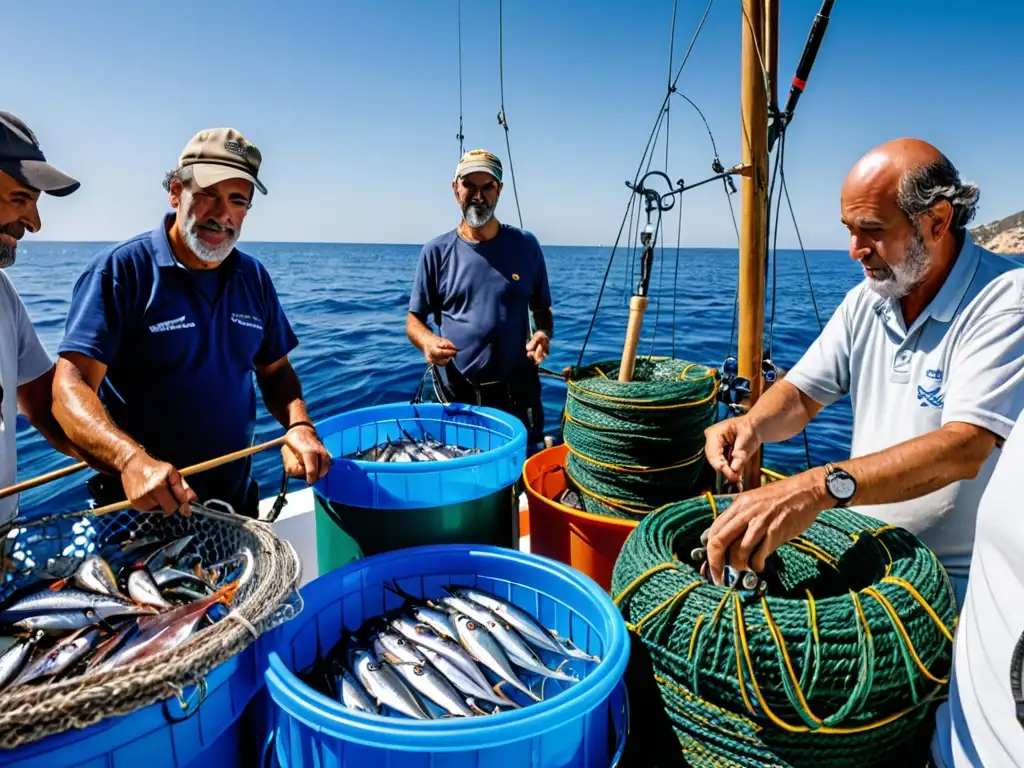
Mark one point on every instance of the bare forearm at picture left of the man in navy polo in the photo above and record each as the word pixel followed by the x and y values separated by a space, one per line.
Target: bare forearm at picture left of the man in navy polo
pixel 80 414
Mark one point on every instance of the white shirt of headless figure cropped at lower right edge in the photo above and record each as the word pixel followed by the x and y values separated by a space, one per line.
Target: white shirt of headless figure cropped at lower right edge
pixel 979 728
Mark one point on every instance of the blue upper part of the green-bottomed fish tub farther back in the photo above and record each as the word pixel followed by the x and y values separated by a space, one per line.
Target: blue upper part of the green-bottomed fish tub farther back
pixel 501 439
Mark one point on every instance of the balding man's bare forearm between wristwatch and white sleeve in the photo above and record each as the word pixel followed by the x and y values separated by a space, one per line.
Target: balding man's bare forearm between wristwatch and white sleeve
pixel 918 467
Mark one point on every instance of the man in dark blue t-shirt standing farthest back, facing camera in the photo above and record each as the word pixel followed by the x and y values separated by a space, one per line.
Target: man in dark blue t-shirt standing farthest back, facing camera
pixel 480 283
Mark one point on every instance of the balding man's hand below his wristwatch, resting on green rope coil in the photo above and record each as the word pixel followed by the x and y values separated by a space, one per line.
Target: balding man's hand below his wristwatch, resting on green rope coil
pixel 760 522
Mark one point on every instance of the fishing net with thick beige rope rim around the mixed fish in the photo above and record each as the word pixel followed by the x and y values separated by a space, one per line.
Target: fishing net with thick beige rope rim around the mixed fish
pixel 52 547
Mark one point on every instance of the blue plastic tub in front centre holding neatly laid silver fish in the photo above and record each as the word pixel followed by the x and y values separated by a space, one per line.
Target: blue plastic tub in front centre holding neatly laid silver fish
pixel 583 727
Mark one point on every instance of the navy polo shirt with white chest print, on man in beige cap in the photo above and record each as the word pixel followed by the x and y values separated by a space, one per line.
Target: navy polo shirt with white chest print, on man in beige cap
pixel 181 347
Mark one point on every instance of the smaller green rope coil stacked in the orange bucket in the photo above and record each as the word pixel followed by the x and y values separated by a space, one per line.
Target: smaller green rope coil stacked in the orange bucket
pixel 637 446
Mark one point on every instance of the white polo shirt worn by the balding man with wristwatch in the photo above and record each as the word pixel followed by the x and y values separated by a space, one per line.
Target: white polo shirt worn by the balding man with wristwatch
pixel 962 361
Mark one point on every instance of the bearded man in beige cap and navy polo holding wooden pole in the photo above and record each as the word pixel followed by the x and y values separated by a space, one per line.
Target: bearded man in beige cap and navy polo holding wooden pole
pixel 163 337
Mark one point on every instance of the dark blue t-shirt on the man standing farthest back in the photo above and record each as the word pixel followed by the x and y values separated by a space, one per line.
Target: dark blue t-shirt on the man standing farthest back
pixel 480 295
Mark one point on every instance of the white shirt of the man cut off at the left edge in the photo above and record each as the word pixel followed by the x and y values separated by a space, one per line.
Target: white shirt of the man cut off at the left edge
pixel 22 360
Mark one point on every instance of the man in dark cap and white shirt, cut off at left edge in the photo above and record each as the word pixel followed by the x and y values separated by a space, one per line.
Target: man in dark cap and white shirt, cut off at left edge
pixel 26 369
